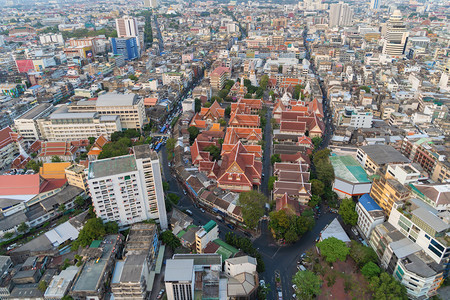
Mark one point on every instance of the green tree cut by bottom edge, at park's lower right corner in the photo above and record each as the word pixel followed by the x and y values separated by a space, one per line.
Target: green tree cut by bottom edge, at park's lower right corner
pixel 385 287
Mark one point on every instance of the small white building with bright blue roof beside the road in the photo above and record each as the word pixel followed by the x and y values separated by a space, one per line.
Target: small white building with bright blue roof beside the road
pixel 370 214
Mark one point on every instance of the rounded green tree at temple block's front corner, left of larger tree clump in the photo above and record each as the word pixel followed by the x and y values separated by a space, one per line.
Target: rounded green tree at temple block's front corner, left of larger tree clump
pixel 252 207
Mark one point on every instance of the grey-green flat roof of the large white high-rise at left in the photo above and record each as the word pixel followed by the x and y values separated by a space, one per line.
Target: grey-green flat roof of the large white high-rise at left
pixel 112 166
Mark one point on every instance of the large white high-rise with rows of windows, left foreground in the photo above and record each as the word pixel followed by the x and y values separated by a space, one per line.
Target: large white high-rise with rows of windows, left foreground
pixel 128 189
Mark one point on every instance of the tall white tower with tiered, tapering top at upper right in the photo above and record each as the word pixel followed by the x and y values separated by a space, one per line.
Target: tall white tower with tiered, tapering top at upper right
pixel 396 36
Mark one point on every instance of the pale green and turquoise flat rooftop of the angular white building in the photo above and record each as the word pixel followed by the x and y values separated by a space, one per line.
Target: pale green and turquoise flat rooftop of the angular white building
pixel 348 169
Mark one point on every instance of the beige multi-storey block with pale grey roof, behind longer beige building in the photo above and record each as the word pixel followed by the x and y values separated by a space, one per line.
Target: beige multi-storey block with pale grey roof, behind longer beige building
pixel 129 107
